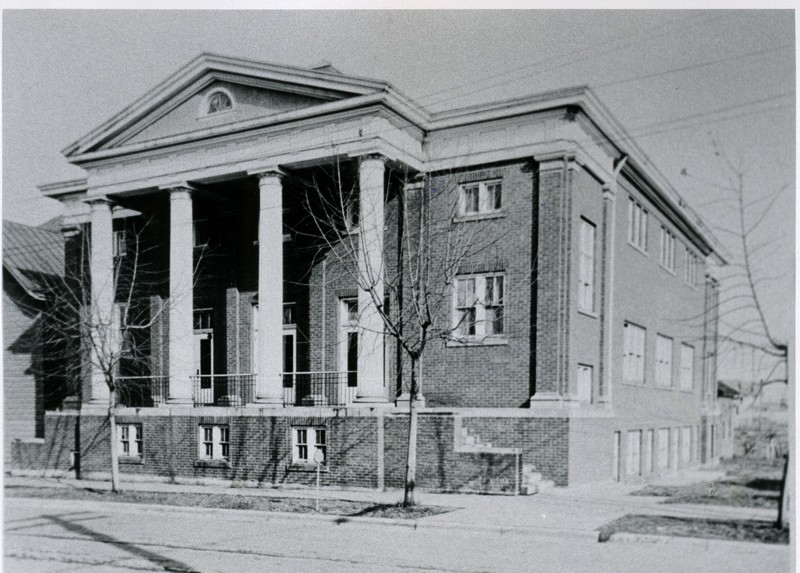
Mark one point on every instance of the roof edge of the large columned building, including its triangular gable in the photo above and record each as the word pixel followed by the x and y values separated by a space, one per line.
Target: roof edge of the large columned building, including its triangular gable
pixel 338 92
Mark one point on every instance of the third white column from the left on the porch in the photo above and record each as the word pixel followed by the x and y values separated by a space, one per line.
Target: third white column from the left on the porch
pixel 269 388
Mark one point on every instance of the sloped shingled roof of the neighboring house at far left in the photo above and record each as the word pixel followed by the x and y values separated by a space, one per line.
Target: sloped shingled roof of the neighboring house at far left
pixel 31 255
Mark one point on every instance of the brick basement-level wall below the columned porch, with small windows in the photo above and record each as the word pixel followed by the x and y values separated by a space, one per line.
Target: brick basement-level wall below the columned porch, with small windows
pixel 260 449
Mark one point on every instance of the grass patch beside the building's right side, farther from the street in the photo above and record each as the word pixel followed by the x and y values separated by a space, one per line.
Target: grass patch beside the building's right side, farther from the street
pixel 747 483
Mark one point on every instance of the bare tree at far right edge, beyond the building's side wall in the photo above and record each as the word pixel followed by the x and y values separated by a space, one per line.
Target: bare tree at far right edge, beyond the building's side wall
pixel 741 310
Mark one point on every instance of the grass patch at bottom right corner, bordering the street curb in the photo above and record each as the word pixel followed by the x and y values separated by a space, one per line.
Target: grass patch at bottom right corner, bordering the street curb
pixel 725 529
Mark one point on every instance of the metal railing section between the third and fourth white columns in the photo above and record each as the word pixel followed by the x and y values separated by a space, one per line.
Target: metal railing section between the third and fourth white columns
pixel 319 388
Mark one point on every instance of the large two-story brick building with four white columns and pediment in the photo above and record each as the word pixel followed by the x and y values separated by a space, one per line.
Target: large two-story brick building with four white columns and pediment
pixel 583 339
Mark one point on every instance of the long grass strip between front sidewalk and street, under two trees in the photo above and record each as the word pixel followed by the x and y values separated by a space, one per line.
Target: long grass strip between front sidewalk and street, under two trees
pixel 343 508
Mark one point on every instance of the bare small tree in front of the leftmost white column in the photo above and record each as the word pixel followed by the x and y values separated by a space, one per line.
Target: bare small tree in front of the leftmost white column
pixel 112 340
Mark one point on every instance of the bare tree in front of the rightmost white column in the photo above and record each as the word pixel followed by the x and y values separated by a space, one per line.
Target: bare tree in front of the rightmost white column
pixel 427 242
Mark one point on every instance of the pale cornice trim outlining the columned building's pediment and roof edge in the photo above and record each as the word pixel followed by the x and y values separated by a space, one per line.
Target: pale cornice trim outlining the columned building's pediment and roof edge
pixel 372 92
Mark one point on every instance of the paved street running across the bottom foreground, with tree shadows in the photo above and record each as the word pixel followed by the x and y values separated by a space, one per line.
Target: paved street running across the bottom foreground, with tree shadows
pixel 67 536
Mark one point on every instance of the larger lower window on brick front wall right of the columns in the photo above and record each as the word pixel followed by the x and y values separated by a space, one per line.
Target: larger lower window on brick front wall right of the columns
pixel 479 306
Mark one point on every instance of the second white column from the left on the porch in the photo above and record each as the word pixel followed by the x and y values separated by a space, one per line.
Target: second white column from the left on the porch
pixel 181 264
